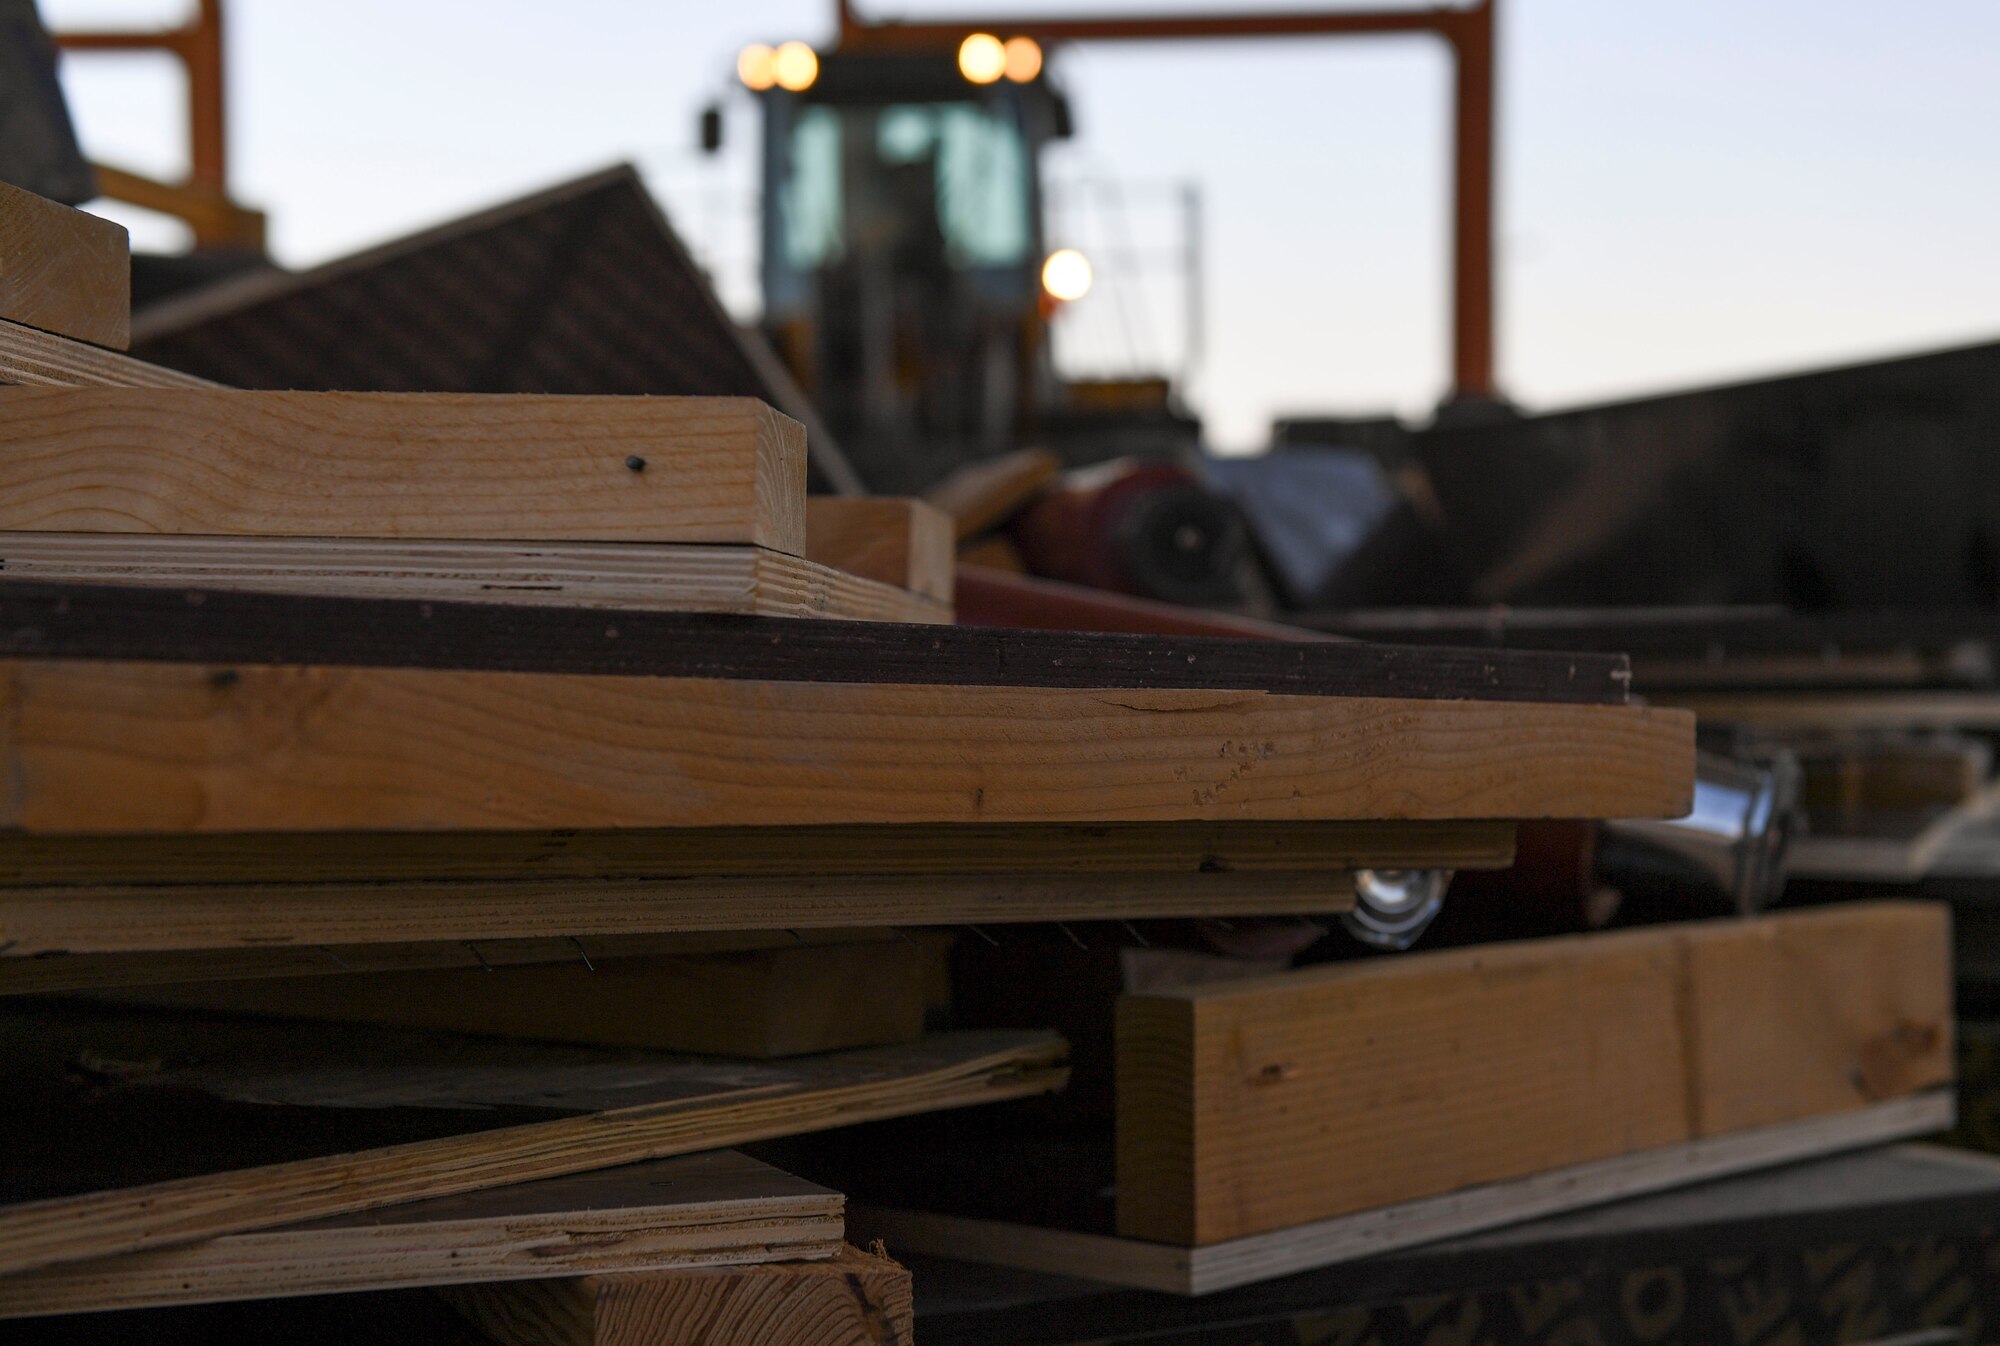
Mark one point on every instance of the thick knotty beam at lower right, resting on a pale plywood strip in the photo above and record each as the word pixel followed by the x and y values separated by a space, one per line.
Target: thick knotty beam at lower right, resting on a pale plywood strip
pixel 1269 1103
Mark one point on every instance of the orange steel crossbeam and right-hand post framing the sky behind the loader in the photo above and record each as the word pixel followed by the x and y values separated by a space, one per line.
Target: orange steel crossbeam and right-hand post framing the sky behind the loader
pixel 1471 35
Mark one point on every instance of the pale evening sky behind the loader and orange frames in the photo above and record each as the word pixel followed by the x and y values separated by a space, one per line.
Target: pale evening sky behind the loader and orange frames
pixel 1689 189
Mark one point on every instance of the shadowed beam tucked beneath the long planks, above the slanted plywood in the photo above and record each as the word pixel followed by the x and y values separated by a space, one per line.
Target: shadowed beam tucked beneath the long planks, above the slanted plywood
pixel 751 1003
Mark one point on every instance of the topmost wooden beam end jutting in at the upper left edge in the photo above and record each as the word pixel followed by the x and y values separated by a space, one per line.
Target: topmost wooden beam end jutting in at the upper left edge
pixel 65 271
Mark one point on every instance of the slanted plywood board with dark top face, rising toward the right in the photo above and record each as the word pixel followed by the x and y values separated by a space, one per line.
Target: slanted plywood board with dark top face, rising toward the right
pixel 487 1113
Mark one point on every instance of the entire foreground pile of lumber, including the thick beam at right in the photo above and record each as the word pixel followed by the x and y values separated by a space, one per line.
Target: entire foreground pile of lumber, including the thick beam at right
pixel 443 827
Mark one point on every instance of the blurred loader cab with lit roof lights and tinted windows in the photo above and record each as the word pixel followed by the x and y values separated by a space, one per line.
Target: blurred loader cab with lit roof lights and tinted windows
pixel 903 255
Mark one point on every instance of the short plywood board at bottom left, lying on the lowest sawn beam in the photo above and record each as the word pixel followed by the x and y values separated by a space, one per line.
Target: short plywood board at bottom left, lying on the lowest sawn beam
pixel 715 1209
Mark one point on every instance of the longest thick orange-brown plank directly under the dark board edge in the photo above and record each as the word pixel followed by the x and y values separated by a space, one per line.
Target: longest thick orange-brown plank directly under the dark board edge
pixel 111 747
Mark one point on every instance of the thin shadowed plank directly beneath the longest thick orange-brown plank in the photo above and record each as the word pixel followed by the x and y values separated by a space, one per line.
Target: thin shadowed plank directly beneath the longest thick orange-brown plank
pixel 801 855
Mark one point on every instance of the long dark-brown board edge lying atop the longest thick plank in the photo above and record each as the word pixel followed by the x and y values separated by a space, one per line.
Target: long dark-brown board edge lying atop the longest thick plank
pixel 215 627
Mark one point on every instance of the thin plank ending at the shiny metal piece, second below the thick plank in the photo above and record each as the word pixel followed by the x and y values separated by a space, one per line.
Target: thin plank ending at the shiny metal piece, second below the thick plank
pixel 95 927
